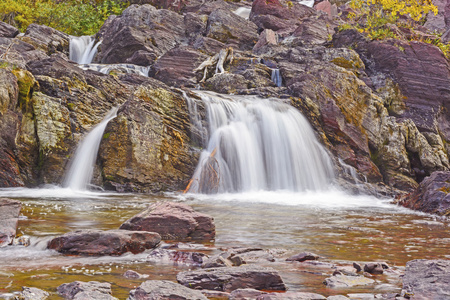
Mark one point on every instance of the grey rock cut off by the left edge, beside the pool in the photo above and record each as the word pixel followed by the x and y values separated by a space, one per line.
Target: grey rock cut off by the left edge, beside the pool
pixel 9 218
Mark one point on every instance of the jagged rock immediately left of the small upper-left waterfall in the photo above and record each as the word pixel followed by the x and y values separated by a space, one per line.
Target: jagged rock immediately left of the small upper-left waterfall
pixel 47 39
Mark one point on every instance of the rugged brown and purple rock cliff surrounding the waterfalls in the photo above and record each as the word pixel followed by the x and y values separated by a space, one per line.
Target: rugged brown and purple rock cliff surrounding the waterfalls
pixel 380 107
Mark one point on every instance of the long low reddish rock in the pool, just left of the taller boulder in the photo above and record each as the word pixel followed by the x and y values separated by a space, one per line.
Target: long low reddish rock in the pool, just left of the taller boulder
pixel 110 242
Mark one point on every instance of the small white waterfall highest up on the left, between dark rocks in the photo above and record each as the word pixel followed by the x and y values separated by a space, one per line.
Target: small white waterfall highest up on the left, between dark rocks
pixel 82 49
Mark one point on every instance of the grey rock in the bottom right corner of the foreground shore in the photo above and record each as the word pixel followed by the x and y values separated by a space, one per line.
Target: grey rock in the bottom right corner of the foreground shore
pixel 427 279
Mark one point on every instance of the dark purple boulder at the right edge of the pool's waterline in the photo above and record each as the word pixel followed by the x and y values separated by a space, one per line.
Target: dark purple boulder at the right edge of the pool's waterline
pixel 432 195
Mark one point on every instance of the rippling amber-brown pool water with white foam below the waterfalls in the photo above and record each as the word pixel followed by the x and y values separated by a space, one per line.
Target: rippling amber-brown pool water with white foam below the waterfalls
pixel 339 228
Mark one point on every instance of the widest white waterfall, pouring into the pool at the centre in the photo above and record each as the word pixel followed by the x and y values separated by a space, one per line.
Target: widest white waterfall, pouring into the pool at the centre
pixel 259 144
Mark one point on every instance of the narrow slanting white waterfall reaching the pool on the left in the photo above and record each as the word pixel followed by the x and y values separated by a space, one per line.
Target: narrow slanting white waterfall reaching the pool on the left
pixel 82 165
